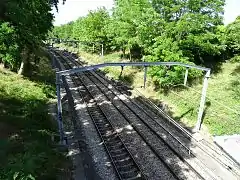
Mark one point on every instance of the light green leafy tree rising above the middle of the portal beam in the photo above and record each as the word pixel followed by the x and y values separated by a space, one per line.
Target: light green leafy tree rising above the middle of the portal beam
pixel 130 25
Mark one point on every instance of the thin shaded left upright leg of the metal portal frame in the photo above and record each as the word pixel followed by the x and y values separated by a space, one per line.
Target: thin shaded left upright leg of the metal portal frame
pixel 59 108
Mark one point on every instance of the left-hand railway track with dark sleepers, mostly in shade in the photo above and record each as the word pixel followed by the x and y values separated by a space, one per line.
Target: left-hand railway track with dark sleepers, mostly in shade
pixel 122 160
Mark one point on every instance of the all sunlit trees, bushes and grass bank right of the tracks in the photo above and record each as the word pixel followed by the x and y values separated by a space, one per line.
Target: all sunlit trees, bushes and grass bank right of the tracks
pixel 190 32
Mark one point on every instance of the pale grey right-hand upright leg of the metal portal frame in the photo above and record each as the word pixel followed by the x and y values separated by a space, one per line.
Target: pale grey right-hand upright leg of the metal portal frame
pixel 202 102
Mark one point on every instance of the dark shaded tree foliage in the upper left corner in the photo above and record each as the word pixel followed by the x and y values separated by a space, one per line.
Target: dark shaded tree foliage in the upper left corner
pixel 23 26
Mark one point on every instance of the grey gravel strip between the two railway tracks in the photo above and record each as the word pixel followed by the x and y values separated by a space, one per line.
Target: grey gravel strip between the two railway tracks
pixel 151 166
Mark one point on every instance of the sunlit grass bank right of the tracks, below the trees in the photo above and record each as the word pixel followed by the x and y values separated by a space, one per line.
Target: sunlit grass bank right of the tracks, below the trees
pixel 221 115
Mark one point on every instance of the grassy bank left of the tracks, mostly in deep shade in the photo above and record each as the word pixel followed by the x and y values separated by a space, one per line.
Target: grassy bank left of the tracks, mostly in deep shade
pixel 26 148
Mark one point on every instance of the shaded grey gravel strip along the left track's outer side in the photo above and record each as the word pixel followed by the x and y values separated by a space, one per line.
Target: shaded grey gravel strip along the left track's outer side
pixel 87 142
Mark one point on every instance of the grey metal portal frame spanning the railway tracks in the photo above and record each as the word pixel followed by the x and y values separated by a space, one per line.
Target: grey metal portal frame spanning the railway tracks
pixel 207 71
